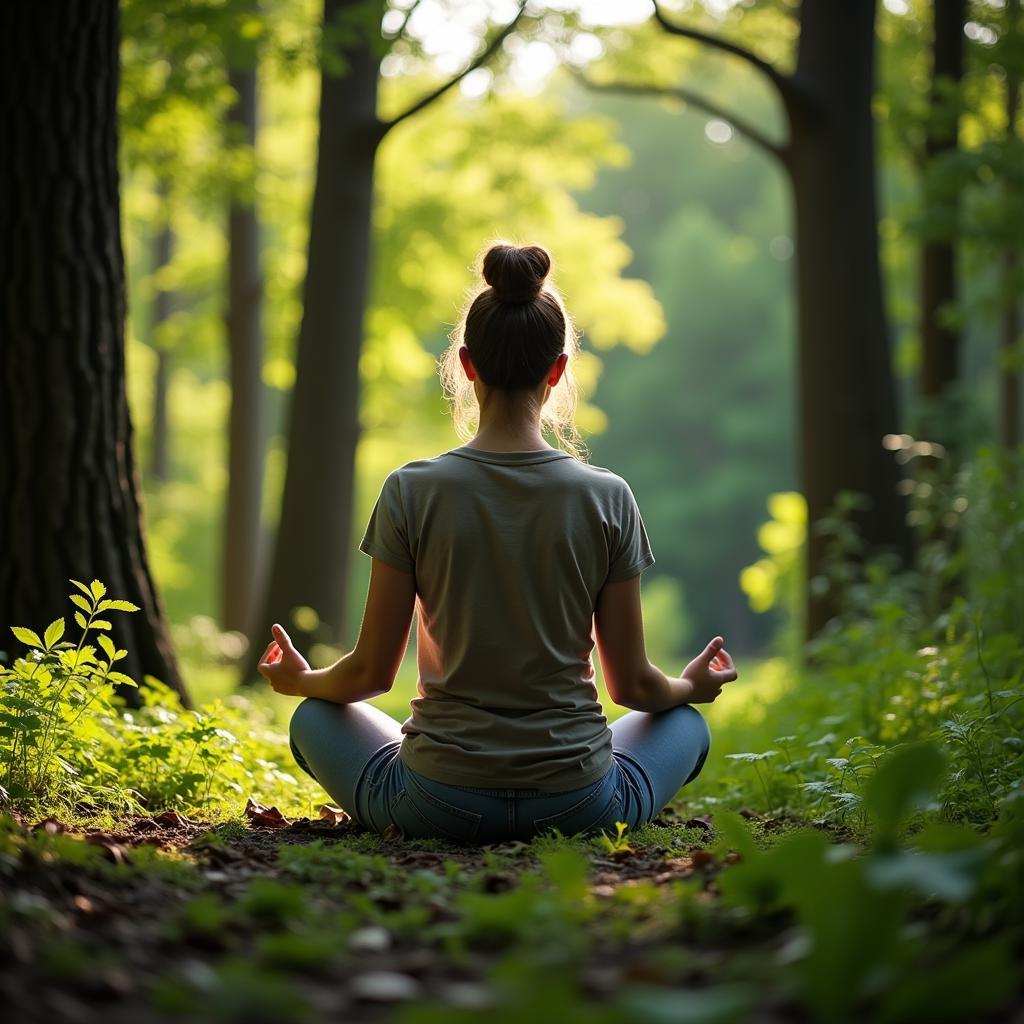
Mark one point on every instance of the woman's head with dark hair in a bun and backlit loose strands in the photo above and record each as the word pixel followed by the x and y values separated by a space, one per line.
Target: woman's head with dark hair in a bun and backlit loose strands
pixel 514 330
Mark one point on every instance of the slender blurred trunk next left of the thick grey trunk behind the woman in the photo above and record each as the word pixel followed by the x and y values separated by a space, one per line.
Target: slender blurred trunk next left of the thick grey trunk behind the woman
pixel 242 566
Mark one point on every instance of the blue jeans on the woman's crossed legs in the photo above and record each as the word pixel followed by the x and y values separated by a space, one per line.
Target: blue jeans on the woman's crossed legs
pixel 353 752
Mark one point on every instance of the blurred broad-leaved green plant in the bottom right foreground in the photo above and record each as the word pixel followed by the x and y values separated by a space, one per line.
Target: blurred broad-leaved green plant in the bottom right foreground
pixel 855 953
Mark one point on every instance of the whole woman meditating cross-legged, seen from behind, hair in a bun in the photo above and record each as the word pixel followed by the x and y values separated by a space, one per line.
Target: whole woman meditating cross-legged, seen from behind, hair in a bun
pixel 518 556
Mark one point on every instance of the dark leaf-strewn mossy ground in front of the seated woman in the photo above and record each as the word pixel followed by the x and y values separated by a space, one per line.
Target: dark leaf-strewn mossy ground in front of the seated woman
pixel 262 919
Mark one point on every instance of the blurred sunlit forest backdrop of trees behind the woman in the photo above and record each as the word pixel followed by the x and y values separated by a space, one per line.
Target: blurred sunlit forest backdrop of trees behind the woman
pixel 662 174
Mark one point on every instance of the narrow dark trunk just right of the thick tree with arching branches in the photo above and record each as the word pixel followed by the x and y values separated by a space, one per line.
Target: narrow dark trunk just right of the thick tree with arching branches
pixel 941 343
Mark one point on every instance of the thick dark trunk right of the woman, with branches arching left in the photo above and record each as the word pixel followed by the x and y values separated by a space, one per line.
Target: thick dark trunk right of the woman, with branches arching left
pixel 847 399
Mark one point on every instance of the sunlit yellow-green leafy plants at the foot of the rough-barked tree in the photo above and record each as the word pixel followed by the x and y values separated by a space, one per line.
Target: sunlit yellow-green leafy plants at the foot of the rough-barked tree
pixel 68 739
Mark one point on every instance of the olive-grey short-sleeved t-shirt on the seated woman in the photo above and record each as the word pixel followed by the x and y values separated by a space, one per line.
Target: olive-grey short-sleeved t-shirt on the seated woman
pixel 509 550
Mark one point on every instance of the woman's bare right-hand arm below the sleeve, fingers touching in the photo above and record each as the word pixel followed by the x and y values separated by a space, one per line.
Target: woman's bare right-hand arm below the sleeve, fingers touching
pixel 629 676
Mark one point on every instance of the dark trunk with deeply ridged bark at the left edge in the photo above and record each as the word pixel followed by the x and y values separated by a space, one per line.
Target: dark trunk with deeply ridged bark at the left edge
pixel 69 490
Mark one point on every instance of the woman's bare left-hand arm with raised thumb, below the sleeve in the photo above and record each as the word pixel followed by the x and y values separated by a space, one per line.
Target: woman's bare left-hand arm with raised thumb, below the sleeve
pixel 370 668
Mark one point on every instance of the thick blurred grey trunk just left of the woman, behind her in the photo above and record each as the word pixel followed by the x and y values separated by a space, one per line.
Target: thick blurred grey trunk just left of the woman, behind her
pixel 312 557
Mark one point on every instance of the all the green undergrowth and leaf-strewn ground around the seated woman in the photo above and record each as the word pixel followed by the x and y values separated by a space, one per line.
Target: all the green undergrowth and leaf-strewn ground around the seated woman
pixel 852 851
